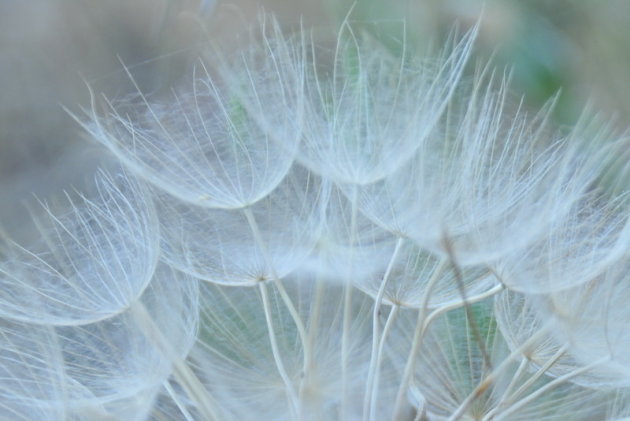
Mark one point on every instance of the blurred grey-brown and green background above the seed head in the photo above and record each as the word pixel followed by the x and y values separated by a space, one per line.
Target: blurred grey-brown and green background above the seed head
pixel 51 50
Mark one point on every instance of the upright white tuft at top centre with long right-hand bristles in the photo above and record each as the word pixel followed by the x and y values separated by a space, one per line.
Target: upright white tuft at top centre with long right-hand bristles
pixel 368 110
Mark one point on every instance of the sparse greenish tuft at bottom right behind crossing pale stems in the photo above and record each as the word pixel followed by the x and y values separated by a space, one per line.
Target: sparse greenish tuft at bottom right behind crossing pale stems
pixel 459 382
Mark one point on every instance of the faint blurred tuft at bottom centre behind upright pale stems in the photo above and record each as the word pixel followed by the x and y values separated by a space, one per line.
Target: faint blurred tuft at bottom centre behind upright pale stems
pixel 237 363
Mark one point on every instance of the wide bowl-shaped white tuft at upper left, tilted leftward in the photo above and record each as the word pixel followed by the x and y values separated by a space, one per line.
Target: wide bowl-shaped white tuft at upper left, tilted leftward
pixel 226 137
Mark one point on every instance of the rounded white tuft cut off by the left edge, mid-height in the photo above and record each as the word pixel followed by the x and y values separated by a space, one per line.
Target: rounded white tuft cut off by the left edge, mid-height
pixel 93 256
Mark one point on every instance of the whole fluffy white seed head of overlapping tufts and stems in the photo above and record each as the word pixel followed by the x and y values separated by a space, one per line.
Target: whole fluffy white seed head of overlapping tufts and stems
pixel 307 233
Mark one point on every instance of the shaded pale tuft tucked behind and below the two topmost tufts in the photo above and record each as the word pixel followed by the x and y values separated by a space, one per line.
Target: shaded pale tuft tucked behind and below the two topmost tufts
pixel 219 245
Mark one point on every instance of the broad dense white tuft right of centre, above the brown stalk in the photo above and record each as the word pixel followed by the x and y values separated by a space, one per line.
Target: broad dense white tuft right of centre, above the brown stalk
pixel 486 181
